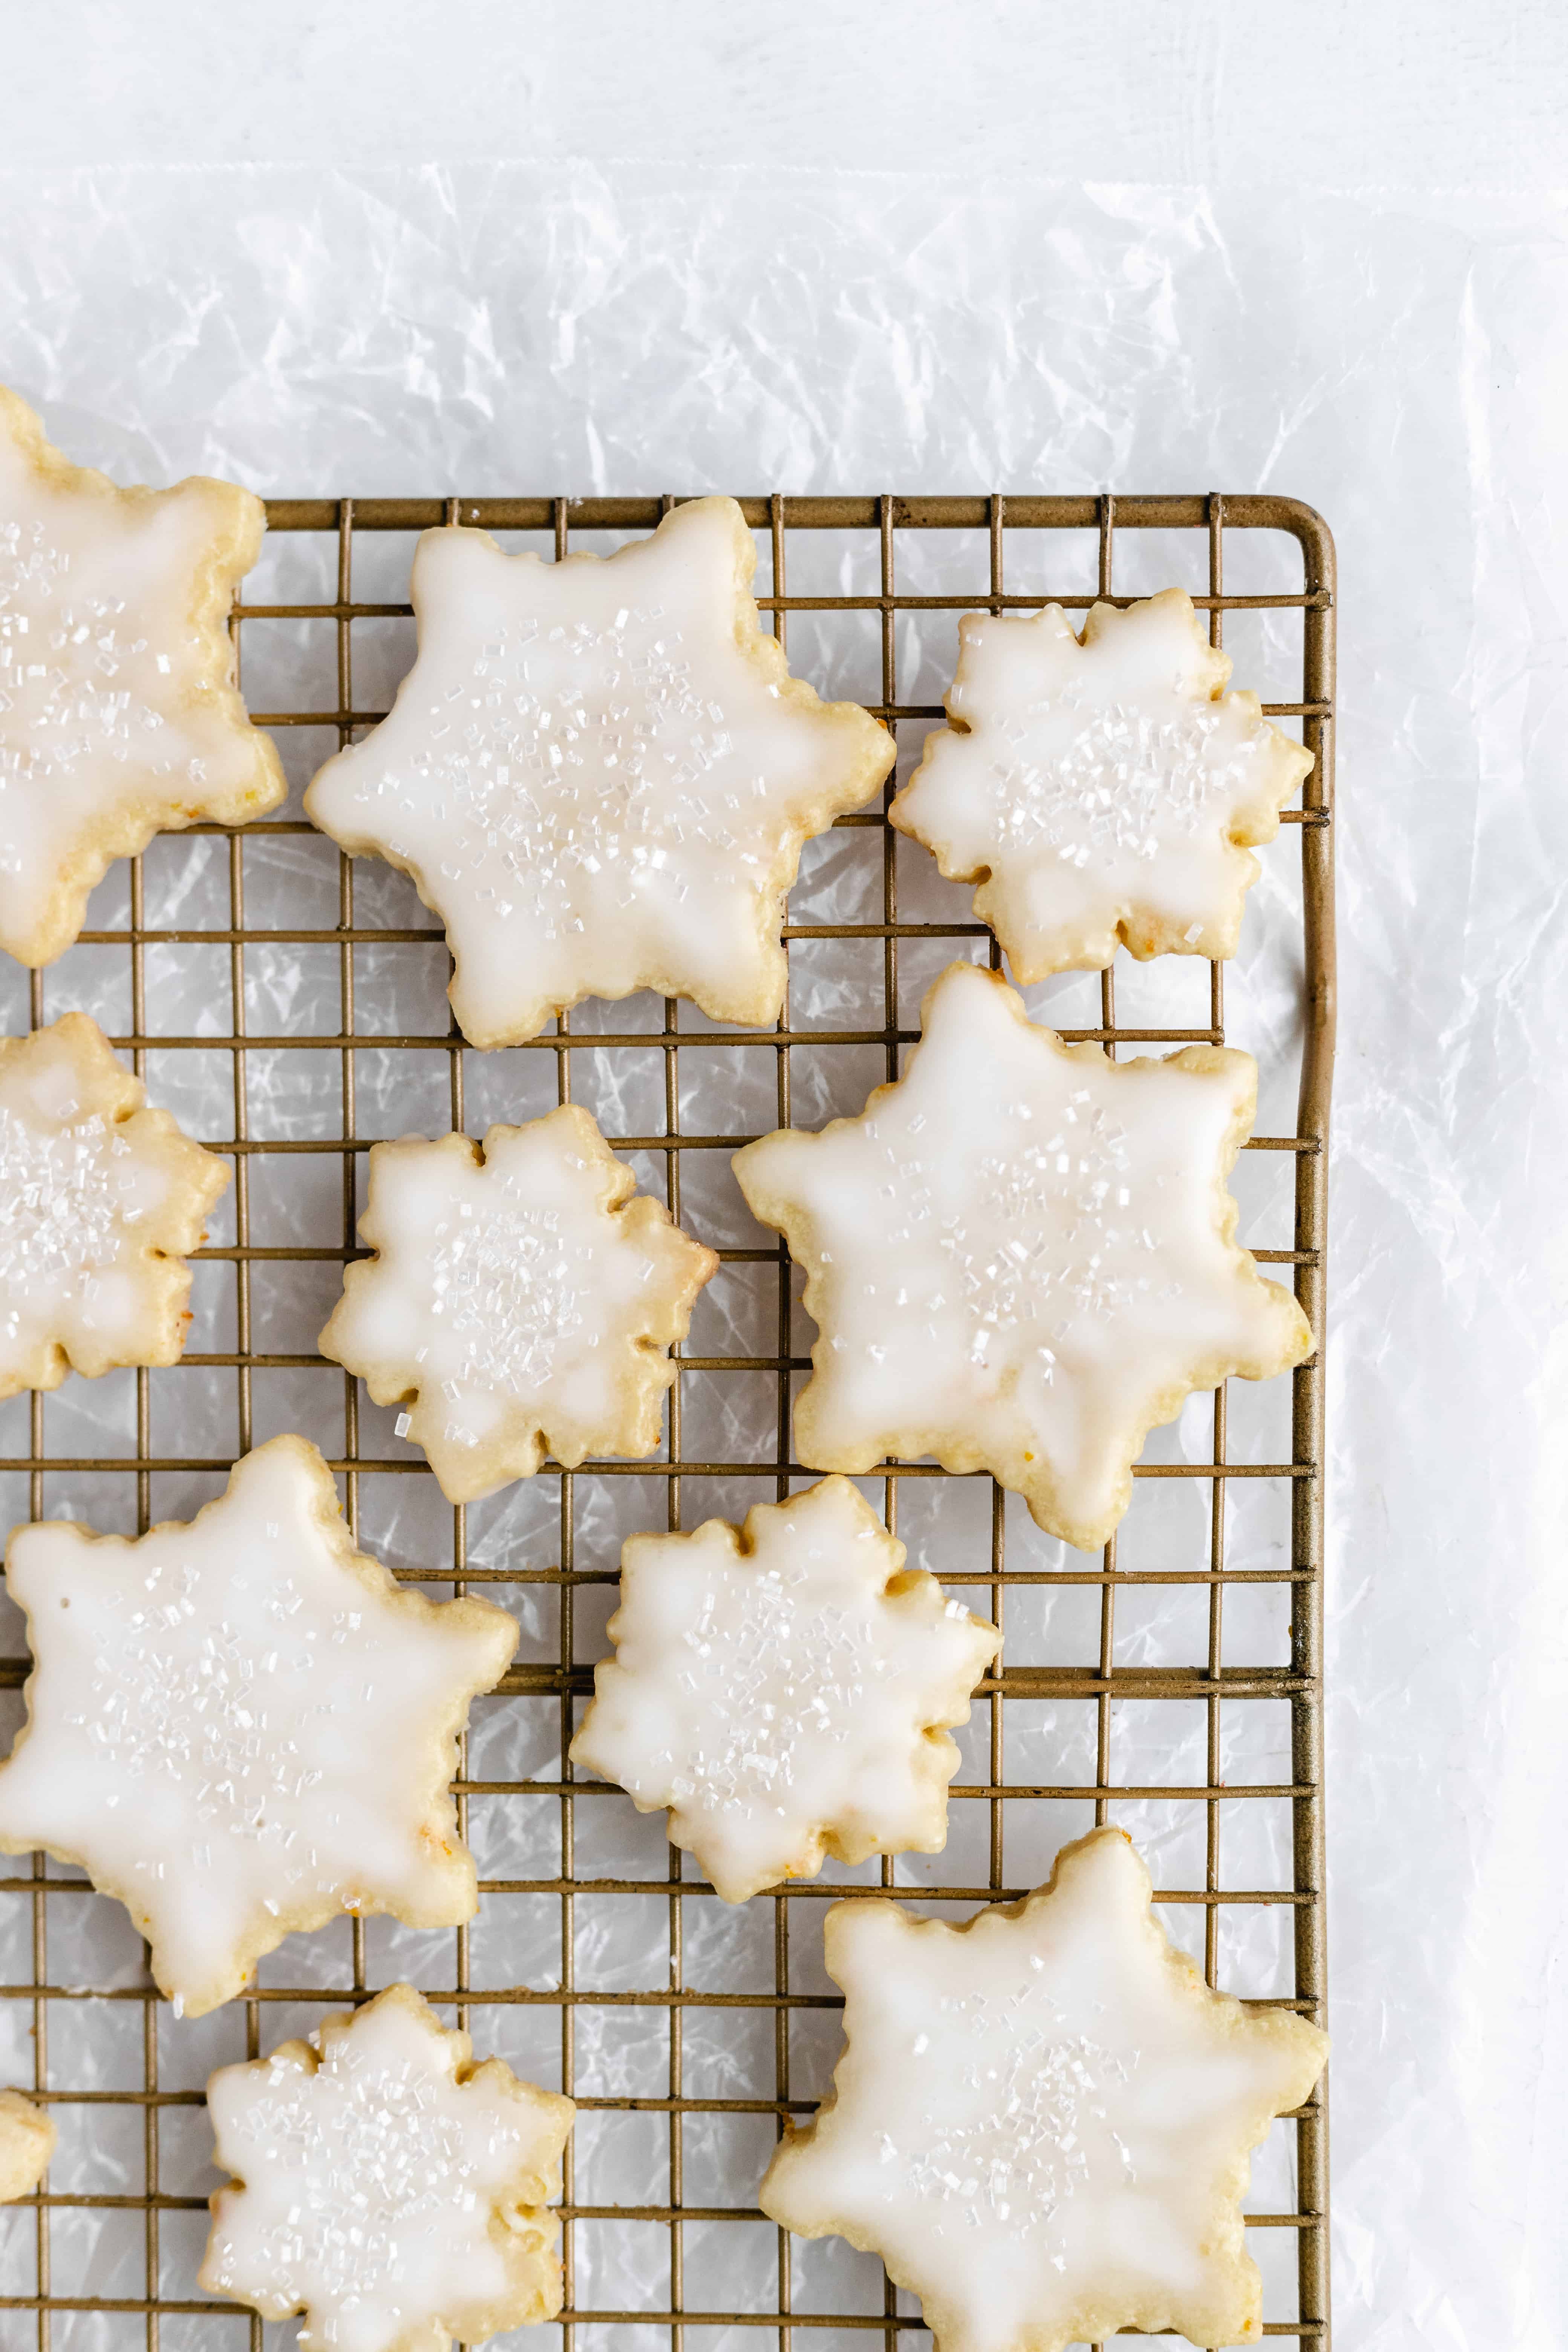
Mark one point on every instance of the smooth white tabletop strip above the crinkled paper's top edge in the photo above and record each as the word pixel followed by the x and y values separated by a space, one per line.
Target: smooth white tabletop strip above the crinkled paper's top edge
pixel 1306 93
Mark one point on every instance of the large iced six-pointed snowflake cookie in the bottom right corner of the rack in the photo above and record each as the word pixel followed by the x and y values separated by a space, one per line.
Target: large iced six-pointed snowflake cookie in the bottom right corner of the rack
pixel 1043 2120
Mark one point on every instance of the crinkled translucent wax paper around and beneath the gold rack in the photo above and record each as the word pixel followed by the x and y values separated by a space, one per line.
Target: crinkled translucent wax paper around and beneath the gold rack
pixel 1400 366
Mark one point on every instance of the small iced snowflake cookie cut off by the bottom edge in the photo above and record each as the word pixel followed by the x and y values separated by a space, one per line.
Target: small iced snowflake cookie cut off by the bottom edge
pixel 387 2189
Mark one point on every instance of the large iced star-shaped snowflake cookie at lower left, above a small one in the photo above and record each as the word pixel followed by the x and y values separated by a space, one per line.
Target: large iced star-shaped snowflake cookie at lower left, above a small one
pixel 243 1728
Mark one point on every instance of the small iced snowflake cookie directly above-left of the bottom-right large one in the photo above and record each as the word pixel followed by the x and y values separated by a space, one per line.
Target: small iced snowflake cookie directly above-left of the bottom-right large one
pixel 786 1690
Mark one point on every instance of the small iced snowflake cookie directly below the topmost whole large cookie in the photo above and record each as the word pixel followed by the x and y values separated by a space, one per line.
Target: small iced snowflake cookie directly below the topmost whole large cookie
pixel 521 1302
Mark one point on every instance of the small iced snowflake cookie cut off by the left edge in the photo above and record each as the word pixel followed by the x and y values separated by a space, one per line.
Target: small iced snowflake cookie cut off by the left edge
pixel 100 1201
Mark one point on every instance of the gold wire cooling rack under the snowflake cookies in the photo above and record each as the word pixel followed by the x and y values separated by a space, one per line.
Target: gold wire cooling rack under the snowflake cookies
pixel 721 2040
